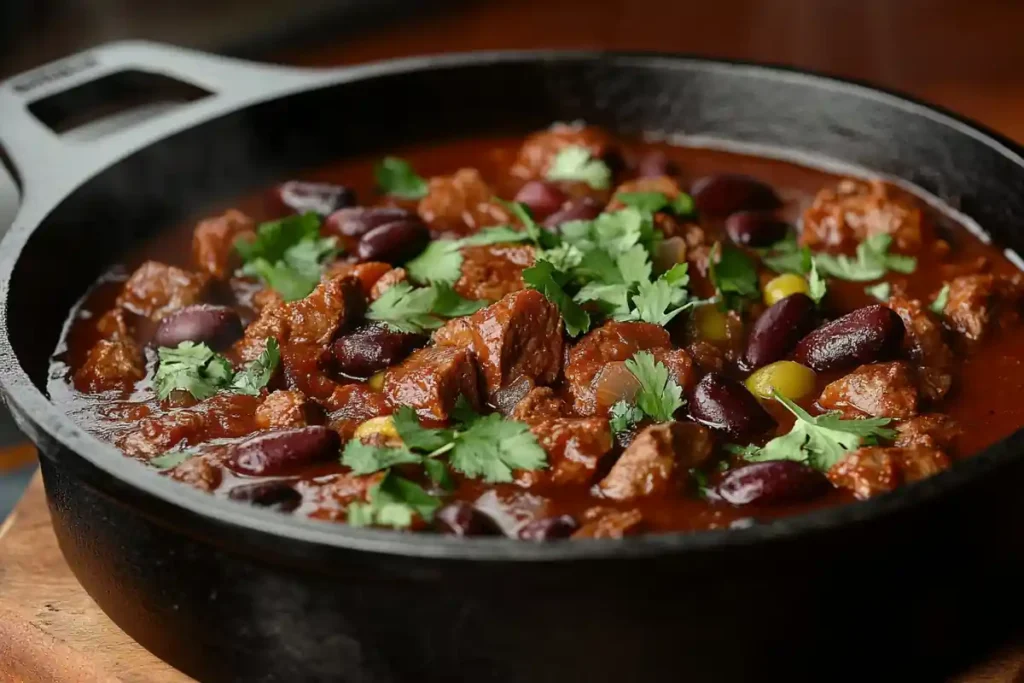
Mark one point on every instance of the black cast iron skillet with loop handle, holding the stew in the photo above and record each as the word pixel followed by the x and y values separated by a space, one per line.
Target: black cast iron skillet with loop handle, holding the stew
pixel 906 586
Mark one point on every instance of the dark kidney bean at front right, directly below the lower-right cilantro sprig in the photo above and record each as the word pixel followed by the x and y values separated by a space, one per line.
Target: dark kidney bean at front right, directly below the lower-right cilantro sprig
pixel 774 482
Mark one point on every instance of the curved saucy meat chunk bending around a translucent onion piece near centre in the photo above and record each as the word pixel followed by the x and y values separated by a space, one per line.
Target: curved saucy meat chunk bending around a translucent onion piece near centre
pixel 613 341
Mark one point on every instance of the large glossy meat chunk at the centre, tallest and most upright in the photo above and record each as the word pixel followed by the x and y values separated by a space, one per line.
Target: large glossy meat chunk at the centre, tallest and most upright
pixel 520 336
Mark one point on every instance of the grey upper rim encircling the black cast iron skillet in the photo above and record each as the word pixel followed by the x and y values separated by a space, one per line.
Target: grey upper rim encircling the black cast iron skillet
pixel 115 471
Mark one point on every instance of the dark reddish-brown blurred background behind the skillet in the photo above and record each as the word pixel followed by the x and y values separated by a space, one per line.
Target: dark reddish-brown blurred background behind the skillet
pixel 967 56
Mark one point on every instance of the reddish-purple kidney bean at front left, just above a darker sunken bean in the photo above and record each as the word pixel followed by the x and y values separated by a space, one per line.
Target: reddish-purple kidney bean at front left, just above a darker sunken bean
pixel 285 452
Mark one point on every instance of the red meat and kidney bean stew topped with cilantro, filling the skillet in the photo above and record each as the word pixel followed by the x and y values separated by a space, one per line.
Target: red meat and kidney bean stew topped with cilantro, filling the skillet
pixel 568 335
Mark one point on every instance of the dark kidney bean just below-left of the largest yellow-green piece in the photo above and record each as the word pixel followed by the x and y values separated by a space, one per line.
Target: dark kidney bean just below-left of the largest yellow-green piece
pixel 726 405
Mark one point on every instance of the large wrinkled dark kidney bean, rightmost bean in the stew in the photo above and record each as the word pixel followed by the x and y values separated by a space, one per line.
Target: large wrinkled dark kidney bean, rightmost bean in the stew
pixel 867 335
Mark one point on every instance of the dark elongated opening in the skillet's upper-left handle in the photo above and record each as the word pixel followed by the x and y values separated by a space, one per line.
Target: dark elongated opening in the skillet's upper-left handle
pixel 112 103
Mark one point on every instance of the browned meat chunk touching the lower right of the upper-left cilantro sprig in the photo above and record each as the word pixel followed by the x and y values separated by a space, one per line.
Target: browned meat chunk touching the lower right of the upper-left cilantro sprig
pixel 335 305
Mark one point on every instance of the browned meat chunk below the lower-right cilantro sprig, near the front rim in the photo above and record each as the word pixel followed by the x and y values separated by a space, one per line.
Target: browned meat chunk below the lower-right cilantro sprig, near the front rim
pixel 872 472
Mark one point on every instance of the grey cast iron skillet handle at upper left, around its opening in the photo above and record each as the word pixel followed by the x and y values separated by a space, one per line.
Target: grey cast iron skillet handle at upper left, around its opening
pixel 48 164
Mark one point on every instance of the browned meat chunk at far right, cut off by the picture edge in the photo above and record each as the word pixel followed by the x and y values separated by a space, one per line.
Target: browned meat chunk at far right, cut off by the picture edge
pixel 979 303
